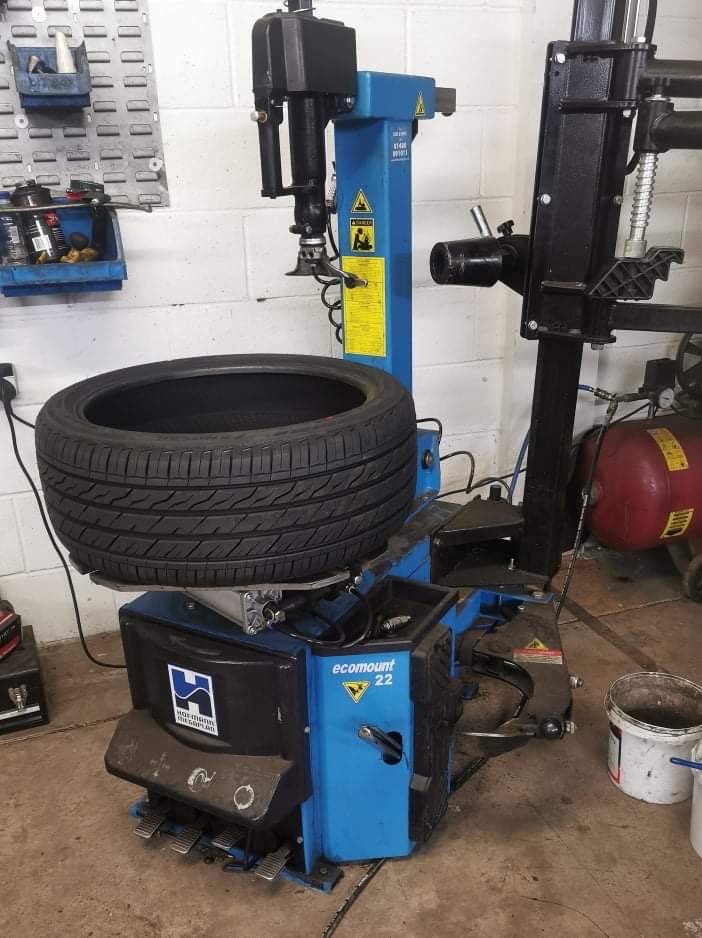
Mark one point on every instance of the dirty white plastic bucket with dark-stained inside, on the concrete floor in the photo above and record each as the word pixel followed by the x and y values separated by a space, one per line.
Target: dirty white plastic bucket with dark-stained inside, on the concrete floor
pixel 653 717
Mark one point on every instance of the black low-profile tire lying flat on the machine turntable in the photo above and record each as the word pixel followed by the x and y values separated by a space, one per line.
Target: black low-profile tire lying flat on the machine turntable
pixel 228 470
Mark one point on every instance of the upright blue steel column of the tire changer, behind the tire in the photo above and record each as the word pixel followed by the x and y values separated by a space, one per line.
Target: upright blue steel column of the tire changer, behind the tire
pixel 374 156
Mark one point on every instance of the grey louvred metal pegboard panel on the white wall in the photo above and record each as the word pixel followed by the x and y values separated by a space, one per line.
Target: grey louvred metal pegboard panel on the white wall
pixel 117 140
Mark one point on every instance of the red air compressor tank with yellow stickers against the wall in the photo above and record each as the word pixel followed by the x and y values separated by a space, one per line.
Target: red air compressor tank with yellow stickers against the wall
pixel 648 483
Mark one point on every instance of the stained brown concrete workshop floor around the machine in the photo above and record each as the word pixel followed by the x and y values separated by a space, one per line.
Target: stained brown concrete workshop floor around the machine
pixel 538 843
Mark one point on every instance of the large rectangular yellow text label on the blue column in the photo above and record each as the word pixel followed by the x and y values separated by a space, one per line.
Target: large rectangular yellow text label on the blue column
pixel 364 308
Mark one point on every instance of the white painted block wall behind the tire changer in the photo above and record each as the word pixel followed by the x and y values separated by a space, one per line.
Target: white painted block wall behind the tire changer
pixel 208 275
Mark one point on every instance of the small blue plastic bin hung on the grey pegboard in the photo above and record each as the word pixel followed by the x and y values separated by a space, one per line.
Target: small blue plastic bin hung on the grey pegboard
pixel 37 90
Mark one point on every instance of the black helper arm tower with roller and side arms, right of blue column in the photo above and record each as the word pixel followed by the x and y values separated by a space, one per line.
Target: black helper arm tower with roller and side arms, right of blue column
pixel 575 289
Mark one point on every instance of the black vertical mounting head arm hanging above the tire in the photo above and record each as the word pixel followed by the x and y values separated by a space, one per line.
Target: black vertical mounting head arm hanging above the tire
pixel 310 65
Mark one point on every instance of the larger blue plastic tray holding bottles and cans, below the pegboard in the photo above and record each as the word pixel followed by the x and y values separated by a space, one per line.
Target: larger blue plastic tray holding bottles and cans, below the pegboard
pixel 94 276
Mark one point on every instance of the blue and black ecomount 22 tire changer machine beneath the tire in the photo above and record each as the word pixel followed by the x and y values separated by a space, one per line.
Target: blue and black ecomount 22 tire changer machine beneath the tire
pixel 287 756
